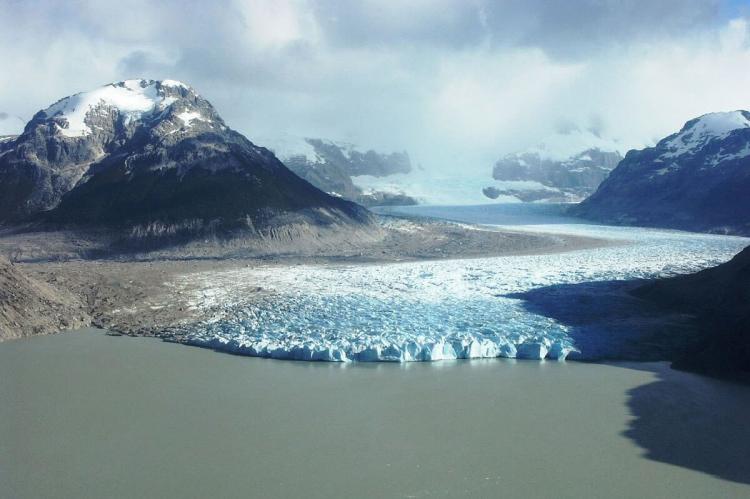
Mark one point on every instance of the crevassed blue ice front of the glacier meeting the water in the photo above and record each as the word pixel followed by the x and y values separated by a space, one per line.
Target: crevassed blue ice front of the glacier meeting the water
pixel 365 328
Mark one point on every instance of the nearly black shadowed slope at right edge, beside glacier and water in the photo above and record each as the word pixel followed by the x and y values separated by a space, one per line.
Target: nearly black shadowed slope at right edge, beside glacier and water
pixel 720 300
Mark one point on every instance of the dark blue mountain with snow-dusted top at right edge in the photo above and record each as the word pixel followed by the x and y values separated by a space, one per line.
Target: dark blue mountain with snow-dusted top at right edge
pixel 695 179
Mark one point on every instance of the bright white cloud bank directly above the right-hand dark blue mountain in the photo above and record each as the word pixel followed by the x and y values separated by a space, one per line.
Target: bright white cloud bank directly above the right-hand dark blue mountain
pixel 645 91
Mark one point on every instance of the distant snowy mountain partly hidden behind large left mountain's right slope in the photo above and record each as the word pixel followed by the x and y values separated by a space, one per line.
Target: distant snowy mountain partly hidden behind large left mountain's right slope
pixel 331 166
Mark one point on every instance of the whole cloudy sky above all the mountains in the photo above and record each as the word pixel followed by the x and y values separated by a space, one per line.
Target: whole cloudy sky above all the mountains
pixel 451 81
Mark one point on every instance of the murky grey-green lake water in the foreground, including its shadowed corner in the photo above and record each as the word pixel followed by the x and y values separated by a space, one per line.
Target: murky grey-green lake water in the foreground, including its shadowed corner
pixel 86 415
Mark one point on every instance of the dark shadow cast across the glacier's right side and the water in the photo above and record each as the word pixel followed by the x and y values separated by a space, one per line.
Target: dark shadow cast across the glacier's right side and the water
pixel 683 419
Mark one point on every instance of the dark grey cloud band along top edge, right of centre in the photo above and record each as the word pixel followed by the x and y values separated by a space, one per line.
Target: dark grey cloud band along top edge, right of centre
pixel 560 28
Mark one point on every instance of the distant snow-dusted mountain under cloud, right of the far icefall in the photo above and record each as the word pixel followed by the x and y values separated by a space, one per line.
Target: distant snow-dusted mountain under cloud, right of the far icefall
pixel 565 167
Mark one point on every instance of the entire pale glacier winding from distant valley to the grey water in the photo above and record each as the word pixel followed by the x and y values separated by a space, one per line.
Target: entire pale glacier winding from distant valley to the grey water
pixel 439 310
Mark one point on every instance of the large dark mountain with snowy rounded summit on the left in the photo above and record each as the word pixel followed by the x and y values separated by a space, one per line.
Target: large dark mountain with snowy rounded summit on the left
pixel 145 152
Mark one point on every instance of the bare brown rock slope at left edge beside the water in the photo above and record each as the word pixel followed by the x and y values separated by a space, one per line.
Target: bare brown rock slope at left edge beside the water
pixel 29 307
